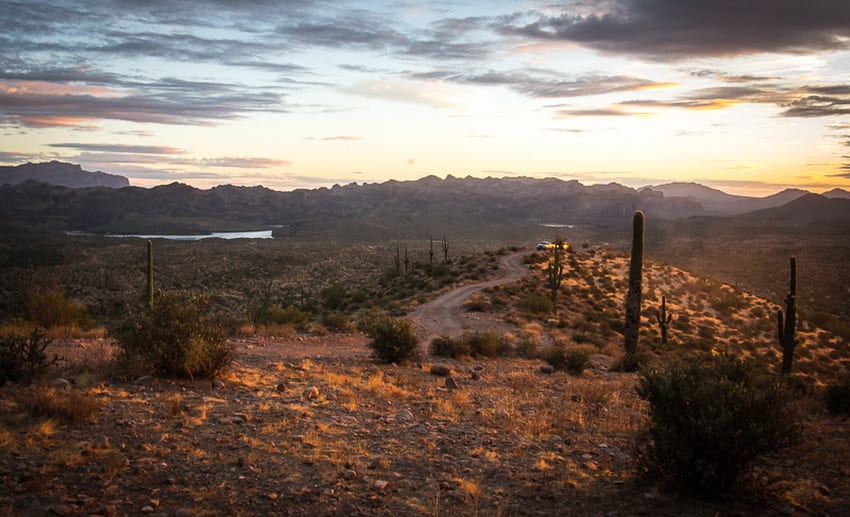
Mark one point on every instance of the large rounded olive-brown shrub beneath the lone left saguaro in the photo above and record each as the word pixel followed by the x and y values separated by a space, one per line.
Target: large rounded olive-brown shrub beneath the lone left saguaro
pixel 174 338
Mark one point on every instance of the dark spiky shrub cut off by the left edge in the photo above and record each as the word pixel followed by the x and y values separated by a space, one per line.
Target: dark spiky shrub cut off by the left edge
pixel 24 357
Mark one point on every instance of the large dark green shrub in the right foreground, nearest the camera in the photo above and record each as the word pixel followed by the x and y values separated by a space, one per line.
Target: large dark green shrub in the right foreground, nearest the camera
pixel 709 419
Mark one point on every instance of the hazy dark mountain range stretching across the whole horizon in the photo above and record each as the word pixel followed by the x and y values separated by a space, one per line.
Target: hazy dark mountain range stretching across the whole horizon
pixel 46 201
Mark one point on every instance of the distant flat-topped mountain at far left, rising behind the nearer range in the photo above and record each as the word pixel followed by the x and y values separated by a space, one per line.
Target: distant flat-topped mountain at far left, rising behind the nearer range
pixel 61 174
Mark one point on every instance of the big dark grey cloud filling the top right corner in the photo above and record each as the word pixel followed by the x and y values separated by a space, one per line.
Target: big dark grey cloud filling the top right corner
pixel 682 29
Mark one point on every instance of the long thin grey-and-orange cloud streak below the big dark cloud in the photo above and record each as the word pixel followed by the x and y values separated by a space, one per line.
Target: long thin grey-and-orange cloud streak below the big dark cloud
pixel 544 84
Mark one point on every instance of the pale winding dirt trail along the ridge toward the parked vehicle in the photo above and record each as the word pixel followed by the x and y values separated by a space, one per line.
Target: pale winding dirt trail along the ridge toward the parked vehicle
pixel 442 315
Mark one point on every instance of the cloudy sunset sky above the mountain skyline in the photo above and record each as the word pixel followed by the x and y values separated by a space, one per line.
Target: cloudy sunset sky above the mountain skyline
pixel 747 96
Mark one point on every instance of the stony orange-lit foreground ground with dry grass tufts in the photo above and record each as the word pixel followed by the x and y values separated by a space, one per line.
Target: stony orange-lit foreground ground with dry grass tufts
pixel 316 427
